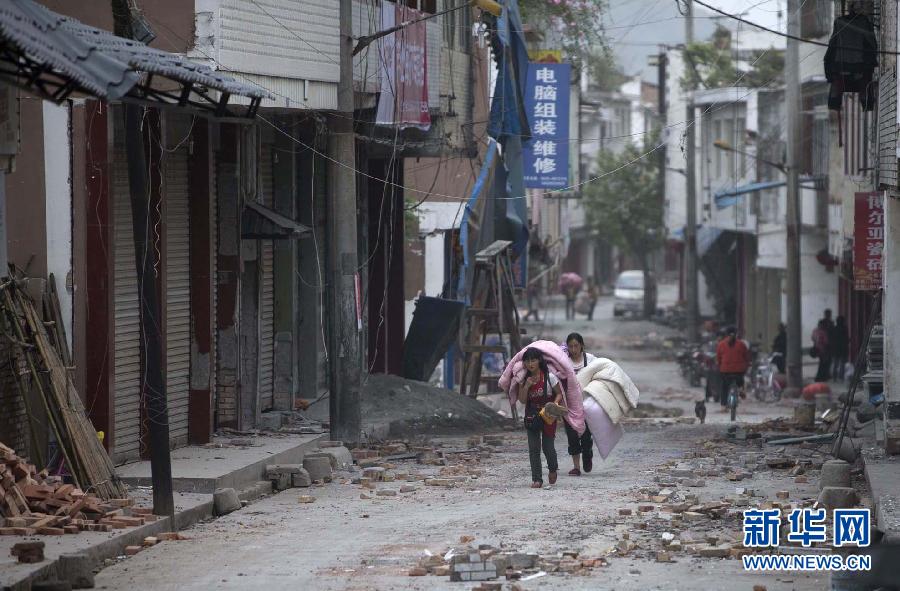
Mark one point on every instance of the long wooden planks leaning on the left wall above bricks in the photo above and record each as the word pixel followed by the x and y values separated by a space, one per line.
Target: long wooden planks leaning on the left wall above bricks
pixel 85 457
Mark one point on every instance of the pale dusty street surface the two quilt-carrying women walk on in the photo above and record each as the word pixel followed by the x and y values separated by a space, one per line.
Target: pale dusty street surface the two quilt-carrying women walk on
pixel 343 541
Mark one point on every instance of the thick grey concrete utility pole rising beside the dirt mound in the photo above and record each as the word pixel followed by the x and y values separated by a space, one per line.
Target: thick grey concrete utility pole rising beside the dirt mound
pixel 344 324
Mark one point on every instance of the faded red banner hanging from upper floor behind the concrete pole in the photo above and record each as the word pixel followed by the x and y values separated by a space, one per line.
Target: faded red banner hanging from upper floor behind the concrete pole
pixel 404 75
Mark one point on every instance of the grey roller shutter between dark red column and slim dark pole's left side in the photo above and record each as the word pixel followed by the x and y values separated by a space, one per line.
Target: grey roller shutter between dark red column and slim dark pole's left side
pixel 127 361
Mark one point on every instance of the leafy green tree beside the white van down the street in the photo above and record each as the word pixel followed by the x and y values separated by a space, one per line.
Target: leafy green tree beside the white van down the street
pixel 625 207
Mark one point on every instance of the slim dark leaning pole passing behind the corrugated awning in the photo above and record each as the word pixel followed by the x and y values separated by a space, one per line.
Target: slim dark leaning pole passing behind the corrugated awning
pixel 154 386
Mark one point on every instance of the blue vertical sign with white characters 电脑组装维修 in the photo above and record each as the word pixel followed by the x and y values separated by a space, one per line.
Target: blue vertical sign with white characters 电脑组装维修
pixel 546 155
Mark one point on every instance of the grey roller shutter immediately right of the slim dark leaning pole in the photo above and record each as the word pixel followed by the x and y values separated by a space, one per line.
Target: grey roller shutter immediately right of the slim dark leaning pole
pixel 177 294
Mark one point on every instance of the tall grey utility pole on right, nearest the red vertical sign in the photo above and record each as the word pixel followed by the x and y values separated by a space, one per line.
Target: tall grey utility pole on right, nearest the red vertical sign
pixel 792 100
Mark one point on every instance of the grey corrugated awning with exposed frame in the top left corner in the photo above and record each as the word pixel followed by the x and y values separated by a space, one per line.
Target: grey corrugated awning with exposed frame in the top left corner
pixel 54 56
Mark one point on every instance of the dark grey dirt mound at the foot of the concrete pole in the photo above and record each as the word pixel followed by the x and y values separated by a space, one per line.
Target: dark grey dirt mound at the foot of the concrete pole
pixel 418 409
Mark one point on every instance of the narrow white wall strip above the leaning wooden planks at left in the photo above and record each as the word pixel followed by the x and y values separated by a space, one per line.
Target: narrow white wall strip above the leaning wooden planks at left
pixel 58 191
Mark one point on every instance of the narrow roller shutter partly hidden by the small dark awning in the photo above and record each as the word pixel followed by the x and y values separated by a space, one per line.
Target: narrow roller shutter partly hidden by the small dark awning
pixel 267 290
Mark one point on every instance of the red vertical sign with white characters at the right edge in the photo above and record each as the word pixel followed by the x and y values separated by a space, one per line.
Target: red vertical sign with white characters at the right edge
pixel 868 240
